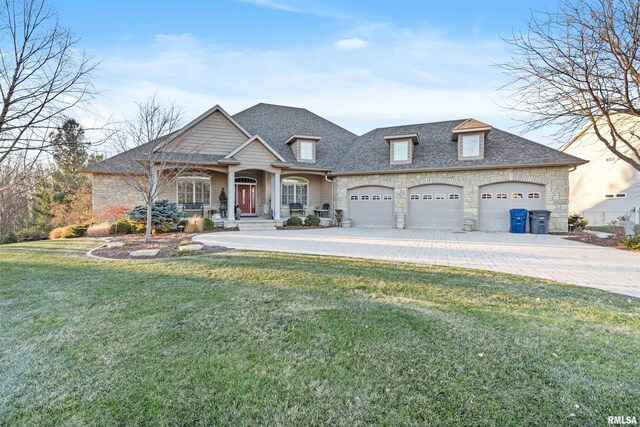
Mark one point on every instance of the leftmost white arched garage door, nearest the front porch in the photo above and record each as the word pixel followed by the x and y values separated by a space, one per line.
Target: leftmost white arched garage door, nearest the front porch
pixel 371 207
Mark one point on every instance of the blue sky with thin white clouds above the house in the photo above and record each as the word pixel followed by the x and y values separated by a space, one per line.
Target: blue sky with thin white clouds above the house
pixel 361 64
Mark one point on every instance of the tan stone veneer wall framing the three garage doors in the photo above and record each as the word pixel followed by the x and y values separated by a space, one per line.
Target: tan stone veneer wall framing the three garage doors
pixel 555 180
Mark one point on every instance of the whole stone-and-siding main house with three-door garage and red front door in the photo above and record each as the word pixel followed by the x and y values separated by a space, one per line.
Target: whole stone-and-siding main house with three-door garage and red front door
pixel 455 175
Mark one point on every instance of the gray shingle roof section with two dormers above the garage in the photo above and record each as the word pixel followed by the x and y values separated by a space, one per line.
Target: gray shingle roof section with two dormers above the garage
pixel 436 150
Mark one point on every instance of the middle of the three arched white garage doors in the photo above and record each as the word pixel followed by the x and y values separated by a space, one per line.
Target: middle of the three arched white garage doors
pixel 435 206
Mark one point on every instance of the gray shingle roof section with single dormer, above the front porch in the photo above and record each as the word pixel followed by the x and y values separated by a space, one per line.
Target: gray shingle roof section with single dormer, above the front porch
pixel 277 123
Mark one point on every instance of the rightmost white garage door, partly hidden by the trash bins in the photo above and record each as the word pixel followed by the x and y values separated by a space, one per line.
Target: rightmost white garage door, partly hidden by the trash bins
pixel 497 199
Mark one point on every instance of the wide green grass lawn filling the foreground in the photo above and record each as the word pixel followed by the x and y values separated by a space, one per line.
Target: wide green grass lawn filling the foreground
pixel 245 338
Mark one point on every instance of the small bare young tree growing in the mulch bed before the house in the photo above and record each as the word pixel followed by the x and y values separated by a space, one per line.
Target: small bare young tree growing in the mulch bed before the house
pixel 154 158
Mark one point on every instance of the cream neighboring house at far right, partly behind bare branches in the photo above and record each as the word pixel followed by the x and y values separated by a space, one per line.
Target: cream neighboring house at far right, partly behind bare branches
pixel 606 187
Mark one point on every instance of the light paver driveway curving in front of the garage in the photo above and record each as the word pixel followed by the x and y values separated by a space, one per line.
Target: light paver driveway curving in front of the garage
pixel 545 256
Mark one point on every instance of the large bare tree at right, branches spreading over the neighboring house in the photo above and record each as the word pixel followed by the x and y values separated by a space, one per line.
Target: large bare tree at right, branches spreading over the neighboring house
pixel 581 66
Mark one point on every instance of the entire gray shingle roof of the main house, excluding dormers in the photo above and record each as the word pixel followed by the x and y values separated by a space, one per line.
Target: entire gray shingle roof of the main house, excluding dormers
pixel 341 151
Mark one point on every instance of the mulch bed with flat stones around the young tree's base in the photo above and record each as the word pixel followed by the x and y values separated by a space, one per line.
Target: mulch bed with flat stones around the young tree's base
pixel 166 243
